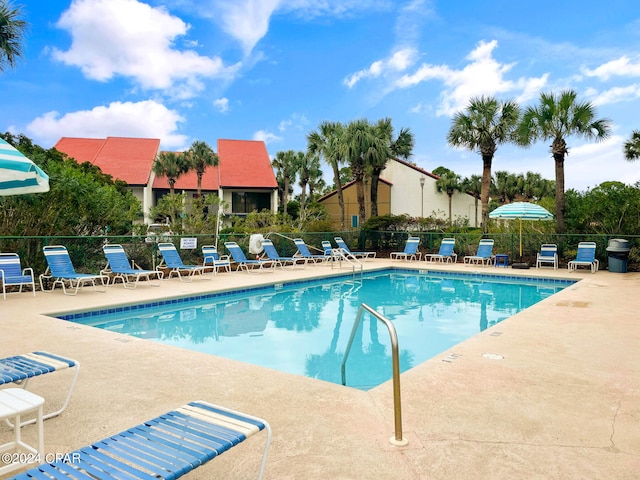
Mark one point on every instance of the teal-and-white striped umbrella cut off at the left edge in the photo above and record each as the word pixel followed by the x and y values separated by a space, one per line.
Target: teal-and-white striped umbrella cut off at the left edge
pixel 18 174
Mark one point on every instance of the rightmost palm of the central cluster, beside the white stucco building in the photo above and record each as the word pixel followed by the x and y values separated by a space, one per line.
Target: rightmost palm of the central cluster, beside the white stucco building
pixel 401 147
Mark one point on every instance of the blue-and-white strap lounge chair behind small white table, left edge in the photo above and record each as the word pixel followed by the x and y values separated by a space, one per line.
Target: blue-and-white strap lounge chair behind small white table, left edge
pixel 20 368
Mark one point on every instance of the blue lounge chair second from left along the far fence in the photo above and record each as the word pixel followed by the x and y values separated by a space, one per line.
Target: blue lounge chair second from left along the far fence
pixel 60 269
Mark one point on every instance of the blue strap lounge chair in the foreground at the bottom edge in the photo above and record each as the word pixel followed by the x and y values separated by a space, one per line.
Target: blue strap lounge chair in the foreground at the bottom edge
pixel 166 447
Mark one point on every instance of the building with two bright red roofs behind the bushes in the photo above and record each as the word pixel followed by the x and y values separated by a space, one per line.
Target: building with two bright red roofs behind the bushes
pixel 244 178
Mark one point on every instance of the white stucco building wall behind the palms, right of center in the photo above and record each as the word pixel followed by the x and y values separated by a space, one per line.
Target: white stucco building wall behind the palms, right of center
pixel 408 197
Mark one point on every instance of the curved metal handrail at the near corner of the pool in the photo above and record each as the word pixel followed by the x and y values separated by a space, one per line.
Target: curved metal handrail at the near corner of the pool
pixel 397 440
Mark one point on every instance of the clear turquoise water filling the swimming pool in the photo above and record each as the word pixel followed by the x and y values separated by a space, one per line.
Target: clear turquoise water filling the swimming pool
pixel 303 328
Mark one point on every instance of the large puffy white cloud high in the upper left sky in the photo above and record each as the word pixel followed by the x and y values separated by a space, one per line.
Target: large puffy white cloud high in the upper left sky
pixel 134 40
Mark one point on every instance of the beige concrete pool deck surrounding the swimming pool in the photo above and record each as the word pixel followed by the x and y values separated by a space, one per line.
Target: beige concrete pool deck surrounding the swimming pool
pixel 563 402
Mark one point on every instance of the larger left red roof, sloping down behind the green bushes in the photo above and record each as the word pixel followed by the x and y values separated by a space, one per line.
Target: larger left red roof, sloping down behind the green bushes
pixel 127 159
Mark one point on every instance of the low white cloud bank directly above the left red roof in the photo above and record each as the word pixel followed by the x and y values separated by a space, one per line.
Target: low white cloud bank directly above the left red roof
pixel 147 119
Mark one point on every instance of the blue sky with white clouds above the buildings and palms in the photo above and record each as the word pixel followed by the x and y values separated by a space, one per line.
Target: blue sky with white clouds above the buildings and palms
pixel 185 70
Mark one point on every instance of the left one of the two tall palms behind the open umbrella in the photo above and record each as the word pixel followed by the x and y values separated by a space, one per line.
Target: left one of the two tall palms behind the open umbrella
pixel 487 123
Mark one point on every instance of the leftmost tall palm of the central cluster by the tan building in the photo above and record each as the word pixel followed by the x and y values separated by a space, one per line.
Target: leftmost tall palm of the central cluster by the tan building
pixel 326 141
